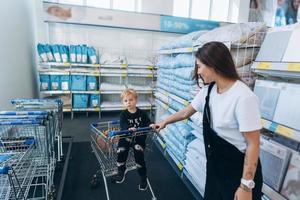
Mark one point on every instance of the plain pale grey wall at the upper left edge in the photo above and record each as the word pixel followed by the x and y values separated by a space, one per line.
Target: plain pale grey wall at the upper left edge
pixel 17 52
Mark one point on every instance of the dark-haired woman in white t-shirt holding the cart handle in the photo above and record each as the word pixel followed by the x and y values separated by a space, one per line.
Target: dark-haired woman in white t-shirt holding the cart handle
pixel 231 126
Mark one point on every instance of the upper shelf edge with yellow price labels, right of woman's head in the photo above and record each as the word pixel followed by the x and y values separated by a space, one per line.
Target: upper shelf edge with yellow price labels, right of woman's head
pixel 279 69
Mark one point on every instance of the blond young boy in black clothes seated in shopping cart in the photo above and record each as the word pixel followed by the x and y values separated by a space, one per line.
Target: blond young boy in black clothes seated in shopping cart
pixel 131 119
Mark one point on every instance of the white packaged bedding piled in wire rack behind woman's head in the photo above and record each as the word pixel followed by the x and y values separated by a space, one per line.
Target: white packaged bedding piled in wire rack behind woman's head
pixel 243 39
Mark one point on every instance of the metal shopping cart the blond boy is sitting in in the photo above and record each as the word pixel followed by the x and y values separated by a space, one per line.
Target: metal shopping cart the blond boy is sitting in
pixel 104 143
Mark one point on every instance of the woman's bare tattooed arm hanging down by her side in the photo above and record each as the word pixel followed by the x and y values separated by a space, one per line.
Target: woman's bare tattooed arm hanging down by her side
pixel 250 164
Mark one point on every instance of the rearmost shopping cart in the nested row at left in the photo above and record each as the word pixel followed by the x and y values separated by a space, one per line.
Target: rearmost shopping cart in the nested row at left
pixel 54 107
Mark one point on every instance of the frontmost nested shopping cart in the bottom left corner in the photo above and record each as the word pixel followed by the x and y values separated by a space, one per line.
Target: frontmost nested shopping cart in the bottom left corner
pixel 17 167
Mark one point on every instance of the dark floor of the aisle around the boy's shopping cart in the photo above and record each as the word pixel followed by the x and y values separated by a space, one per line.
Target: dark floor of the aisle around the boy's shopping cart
pixel 83 164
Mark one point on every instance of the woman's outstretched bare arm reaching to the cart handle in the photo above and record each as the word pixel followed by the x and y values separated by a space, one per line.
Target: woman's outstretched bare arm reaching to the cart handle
pixel 180 115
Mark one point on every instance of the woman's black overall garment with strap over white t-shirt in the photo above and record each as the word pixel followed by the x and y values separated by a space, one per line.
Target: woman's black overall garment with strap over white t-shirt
pixel 224 168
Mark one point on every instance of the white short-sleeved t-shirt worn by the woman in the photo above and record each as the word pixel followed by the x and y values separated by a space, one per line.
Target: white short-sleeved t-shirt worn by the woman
pixel 232 112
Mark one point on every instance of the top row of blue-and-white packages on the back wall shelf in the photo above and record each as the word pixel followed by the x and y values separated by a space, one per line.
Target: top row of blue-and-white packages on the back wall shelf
pixel 63 53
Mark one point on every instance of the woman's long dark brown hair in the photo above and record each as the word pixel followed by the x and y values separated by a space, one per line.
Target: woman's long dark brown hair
pixel 217 56
